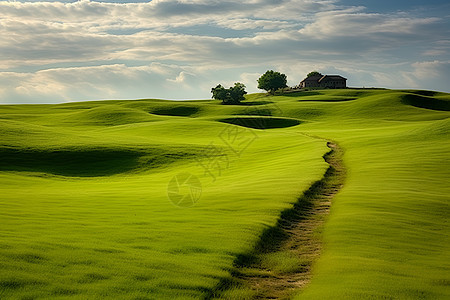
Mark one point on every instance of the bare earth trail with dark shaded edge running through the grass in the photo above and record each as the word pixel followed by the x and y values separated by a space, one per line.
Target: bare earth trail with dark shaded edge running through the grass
pixel 296 236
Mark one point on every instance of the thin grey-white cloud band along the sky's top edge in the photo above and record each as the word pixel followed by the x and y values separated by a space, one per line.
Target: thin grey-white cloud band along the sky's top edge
pixel 161 10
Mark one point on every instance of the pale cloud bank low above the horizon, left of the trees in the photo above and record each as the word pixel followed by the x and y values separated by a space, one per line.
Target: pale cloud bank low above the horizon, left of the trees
pixel 115 81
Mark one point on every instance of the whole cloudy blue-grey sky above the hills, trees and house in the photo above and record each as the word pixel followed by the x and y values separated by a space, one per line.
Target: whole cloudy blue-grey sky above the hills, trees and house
pixel 62 51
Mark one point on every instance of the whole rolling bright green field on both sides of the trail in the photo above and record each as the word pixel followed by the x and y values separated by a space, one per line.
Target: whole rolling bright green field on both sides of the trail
pixel 87 200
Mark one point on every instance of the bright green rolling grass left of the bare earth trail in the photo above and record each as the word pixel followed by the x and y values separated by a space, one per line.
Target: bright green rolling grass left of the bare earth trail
pixel 84 209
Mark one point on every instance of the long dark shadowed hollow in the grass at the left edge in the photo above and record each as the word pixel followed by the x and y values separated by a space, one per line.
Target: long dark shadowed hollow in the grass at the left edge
pixel 81 162
